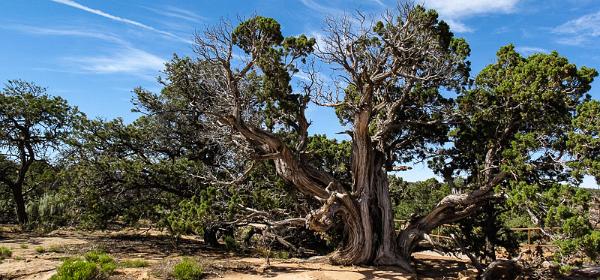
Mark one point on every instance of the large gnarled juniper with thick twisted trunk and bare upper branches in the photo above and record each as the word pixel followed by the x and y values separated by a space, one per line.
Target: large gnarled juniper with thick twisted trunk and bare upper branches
pixel 387 77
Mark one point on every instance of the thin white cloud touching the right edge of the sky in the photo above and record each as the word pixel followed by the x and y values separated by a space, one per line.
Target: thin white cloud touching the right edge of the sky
pixel 579 31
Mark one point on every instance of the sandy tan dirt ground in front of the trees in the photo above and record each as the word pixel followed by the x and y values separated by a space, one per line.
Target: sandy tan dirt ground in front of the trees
pixel 28 261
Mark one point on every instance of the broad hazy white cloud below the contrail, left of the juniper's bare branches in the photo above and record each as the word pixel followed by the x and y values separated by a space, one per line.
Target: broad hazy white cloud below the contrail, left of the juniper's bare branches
pixel 124 60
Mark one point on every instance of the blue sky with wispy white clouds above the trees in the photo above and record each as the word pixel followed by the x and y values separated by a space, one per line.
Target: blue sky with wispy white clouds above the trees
pixel 93 53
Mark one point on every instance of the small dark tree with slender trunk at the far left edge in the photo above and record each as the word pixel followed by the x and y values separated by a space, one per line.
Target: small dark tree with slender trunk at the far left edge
pixel 33 126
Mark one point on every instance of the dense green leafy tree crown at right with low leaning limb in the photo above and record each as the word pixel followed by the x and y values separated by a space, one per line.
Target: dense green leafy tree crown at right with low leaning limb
pixel 514 140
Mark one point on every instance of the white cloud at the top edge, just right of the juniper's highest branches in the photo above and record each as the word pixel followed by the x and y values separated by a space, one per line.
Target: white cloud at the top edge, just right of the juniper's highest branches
pixel 454 11
